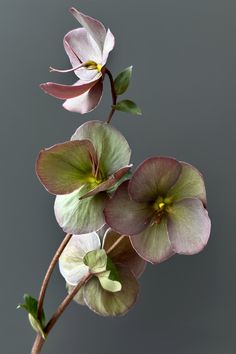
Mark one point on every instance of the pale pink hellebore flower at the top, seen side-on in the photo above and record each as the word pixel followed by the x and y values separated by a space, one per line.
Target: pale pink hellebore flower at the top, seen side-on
pixel 88 49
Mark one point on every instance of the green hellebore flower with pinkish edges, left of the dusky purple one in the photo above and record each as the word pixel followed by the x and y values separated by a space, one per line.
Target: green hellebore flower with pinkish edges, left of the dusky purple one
pixel 81 172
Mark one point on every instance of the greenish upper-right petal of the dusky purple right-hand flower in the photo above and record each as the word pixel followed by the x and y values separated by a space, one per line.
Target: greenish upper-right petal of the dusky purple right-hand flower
pixel 190 184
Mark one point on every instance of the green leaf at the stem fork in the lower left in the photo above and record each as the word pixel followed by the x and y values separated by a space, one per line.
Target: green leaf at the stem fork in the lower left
pixel 31 306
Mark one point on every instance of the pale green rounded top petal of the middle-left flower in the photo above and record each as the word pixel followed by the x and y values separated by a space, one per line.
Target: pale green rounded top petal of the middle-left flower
pixel 112 149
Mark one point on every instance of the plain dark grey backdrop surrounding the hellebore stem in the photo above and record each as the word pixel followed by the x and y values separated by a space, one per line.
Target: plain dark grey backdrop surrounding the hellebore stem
pixel 184 56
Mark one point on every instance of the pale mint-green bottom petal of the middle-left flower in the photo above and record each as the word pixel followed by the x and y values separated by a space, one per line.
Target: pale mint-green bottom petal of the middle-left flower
pixel 77 216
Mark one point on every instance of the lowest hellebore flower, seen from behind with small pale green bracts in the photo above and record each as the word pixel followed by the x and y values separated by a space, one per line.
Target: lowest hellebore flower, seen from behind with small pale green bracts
pixel 113 289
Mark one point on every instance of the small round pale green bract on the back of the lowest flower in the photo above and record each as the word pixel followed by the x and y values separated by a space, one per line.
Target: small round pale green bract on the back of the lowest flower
pixel 96 261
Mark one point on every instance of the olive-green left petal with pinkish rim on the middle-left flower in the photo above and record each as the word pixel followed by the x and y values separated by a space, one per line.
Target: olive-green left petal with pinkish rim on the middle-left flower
pixel 64 167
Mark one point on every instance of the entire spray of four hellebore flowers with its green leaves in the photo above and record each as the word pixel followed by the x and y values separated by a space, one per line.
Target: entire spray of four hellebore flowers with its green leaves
pixel 117 220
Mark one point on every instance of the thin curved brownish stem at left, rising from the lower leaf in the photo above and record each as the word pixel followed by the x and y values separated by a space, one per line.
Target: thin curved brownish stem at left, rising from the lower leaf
pixel 49 273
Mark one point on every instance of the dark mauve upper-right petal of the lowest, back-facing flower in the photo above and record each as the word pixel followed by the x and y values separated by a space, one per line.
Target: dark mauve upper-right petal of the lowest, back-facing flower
pixel 123 254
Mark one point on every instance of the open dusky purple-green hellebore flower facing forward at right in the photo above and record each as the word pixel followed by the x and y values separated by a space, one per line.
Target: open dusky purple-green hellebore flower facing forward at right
pixel 162 208
